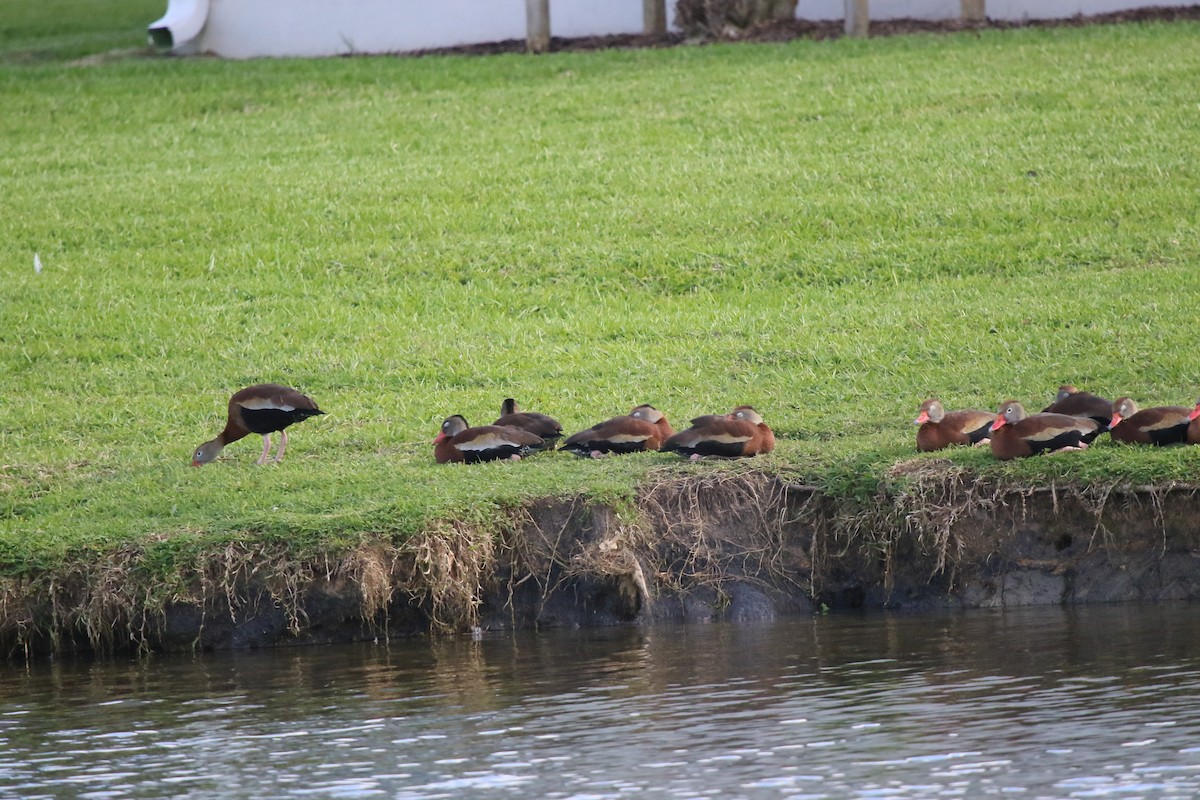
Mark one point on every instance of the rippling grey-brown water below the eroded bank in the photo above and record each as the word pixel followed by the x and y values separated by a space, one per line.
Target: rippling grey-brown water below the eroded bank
pixel 1040 703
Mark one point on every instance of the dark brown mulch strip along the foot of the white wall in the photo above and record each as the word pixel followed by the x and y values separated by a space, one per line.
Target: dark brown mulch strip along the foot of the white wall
pixel 787 32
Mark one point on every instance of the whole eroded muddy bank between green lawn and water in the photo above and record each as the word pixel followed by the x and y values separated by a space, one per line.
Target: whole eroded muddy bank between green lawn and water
pixel 739 548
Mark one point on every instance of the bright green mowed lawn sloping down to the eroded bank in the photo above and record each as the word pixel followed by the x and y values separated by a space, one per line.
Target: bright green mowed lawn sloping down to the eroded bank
pixel 829 231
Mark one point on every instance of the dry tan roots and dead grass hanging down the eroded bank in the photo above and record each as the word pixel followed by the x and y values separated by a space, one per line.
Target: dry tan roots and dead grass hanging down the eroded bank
pixel 928 522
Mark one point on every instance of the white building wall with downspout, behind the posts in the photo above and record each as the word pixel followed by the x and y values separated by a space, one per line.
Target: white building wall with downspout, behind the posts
pixel 244 29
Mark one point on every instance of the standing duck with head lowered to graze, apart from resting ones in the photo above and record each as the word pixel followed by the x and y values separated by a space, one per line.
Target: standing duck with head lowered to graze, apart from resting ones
pixel 265 410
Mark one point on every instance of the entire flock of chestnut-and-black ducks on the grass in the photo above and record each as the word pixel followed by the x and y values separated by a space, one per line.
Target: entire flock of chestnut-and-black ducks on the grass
pixel 1072 423
